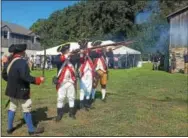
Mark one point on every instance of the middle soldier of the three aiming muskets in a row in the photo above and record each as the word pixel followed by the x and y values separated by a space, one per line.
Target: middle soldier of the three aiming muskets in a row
pixel 86 72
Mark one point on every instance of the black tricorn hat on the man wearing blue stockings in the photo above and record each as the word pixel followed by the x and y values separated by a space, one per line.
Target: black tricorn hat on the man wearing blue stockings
pixel 16 48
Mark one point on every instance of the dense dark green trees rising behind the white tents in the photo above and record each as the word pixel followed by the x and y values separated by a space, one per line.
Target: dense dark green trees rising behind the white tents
pixel 105 20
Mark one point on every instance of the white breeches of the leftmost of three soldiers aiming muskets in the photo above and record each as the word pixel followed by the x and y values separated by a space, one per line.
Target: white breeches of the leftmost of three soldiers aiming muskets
pixel 66 90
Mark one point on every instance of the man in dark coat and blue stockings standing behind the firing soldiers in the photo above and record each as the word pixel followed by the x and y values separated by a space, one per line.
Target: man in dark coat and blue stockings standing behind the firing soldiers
pixel 17 75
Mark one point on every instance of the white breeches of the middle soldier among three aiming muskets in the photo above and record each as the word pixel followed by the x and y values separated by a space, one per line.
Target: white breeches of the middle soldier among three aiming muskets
pixel 86 83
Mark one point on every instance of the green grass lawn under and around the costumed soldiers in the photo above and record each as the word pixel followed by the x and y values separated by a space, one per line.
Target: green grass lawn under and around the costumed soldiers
pixel 140 102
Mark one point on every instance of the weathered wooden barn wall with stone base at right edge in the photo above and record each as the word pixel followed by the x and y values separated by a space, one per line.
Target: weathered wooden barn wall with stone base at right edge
pixel 179 37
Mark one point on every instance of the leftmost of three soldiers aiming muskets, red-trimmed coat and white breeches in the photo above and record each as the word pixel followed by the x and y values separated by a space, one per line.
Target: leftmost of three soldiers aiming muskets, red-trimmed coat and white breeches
pixel 65 82
